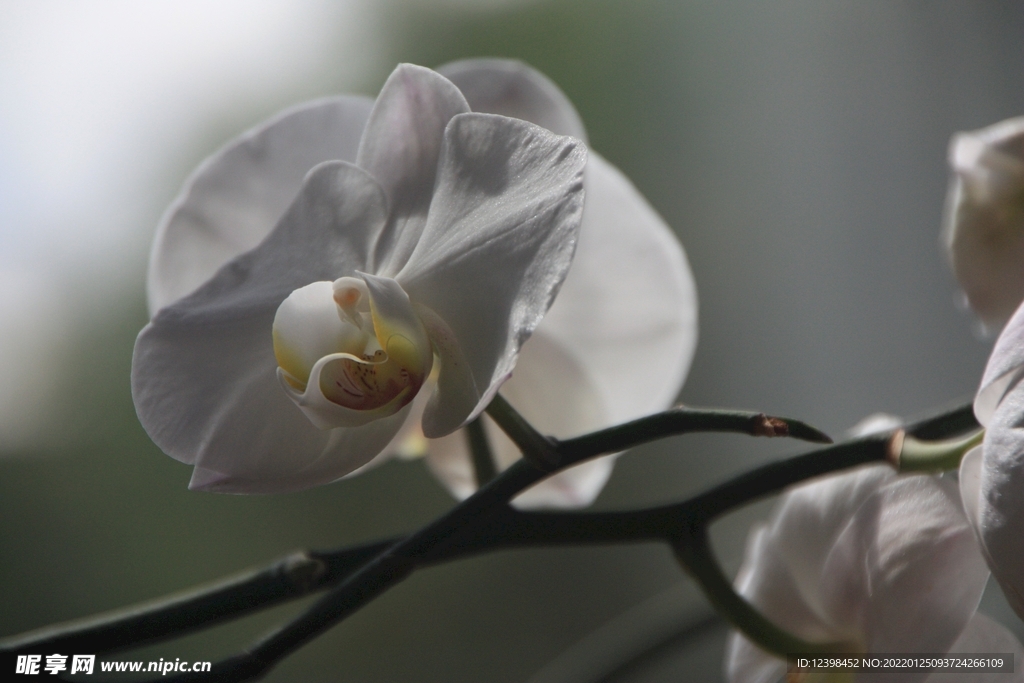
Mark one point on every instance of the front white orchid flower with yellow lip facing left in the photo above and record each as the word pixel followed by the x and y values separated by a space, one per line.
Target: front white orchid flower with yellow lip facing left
pixel 300 305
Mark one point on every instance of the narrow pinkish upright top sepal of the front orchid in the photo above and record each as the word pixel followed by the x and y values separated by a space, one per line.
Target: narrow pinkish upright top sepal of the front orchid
pixel 401 149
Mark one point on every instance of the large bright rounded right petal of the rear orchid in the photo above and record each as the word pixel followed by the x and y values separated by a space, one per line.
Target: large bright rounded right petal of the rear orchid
pixel 628 310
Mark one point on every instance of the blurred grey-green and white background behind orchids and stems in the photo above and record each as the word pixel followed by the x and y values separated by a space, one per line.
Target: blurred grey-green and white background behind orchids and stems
pixel 798 149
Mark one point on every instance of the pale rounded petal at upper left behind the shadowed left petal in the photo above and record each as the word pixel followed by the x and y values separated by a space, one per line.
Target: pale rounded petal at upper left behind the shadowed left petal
pixel 236 197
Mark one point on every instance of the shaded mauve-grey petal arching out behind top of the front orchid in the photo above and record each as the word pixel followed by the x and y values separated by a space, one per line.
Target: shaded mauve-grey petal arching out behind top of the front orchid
pixel 511 89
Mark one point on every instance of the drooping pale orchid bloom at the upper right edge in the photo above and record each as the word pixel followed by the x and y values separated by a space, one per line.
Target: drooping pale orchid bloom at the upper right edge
pixel 985 219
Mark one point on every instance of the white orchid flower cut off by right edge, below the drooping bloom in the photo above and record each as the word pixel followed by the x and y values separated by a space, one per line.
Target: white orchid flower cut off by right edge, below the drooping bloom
pixel 993 475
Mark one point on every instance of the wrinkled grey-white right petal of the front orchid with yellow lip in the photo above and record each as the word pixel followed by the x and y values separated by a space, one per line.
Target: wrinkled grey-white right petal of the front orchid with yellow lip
pixel 499 239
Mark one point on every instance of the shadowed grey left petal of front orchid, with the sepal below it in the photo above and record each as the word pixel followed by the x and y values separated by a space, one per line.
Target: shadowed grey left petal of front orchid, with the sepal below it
pixel 204 371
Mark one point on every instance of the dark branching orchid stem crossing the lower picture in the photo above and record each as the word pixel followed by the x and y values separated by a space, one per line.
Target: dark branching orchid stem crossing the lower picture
pixel 484 523
